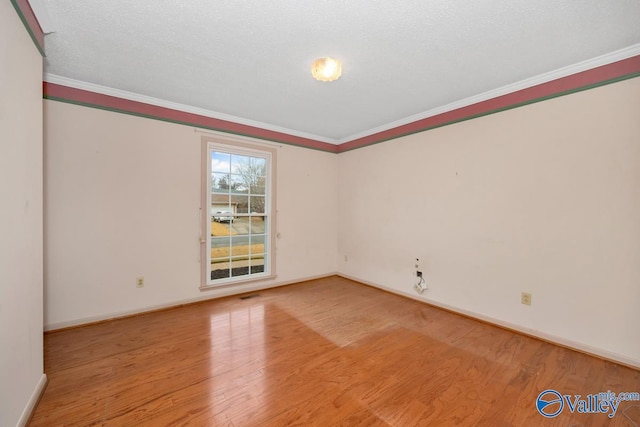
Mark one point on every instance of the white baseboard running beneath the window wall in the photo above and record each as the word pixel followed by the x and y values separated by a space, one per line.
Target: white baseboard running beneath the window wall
pixel 221 293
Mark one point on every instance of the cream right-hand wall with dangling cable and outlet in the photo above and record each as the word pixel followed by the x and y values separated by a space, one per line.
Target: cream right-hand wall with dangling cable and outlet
pixel 544 198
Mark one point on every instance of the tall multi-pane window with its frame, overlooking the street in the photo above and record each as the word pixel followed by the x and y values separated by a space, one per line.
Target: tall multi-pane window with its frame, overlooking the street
pixel 237 211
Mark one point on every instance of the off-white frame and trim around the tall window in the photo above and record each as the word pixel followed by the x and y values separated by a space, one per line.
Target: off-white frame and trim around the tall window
pixel 242 146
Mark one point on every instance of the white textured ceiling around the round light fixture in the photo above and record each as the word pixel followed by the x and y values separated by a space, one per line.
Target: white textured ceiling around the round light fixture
pixel 251 59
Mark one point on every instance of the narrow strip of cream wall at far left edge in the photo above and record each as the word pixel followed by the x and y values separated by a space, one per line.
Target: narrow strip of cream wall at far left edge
pixel 21 368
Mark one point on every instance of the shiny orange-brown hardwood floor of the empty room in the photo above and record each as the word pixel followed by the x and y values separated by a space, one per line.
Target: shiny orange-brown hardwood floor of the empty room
pixel 329 352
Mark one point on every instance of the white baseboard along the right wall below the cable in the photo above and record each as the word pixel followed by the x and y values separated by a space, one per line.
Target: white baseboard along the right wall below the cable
pixel 563 342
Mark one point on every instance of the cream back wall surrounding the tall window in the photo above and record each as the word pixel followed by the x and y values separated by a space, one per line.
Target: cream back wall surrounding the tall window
pixel 122 198
